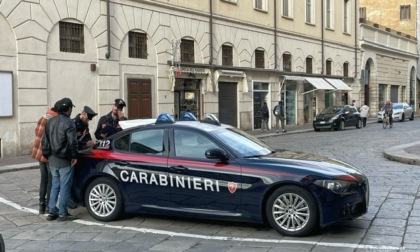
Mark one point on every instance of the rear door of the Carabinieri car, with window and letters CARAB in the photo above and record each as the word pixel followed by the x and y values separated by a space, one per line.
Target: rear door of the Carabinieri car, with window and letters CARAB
pixel 140 162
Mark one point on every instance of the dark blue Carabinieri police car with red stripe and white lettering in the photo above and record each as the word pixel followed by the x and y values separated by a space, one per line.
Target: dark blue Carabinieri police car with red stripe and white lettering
pixel 205 169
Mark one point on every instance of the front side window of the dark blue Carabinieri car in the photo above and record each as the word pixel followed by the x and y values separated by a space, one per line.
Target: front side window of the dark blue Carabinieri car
pixel 189 144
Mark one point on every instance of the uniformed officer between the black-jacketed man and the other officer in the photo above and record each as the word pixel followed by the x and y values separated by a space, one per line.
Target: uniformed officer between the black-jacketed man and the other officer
pixel 81 122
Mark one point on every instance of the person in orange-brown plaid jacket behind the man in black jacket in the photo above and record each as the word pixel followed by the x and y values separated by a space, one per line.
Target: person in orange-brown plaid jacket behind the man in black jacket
pixel 45 183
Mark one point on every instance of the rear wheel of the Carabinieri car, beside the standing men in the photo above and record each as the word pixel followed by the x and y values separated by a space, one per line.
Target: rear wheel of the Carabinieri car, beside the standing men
pixel 103 200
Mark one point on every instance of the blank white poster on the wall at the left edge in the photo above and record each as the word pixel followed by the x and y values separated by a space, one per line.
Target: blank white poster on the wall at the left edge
pixel 6 94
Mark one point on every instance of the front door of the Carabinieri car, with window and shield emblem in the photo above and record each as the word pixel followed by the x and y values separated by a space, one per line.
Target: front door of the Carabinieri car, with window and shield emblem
pixel 198 184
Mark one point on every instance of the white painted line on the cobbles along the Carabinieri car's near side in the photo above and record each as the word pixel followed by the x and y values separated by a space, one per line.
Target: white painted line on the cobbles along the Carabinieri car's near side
pixel 217 238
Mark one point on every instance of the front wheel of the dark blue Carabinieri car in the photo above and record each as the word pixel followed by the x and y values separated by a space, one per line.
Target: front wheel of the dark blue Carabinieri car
pixel 287 203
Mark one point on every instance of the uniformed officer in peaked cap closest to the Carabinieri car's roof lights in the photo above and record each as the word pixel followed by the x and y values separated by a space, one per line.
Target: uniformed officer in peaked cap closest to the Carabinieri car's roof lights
pixel 109 123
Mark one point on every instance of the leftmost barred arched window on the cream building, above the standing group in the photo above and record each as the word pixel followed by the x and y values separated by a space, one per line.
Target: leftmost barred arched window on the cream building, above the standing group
pixel 72 38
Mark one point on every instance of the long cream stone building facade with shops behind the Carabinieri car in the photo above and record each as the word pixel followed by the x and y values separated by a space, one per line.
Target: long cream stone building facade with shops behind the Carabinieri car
pixel 210 56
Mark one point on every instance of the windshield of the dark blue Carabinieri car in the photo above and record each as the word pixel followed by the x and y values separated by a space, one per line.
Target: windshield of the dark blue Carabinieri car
pixel 241 143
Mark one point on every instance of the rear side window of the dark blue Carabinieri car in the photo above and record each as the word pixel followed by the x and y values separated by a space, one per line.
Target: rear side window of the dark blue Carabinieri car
pixel 144 142
